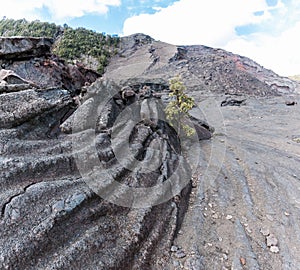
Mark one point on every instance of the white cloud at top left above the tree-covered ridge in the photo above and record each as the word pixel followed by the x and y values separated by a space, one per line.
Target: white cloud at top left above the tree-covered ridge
pixel 60 10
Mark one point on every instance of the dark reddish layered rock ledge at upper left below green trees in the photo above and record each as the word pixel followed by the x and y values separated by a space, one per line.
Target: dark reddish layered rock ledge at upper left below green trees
pixel 30 60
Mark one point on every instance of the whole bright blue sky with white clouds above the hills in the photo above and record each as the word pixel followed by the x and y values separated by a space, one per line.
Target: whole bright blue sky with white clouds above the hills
pixel 264 30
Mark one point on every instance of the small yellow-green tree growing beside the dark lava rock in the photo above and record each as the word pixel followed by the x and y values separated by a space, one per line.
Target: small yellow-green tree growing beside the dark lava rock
pixel 178 109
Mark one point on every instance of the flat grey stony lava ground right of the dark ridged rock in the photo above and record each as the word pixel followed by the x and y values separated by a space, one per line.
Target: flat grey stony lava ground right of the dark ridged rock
pixel 244 210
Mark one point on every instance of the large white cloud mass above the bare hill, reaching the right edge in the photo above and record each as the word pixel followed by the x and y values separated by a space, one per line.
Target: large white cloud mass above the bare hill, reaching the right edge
pixel 275 45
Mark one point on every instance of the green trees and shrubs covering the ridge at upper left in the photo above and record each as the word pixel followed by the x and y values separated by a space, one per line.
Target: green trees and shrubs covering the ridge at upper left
pixel 70 44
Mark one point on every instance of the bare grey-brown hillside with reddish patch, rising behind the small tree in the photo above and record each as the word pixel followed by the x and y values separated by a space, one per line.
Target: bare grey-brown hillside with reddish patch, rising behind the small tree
pixel 203 69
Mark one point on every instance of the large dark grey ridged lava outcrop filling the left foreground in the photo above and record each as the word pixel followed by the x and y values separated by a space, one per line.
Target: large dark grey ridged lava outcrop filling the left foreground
pixel 52 216
